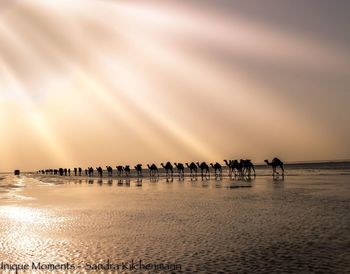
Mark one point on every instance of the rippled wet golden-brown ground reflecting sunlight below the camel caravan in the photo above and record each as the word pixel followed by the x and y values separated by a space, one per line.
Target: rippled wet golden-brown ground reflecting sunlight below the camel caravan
pixel 297 225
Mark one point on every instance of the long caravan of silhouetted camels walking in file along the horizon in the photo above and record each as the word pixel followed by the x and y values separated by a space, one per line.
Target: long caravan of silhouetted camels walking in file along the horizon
pixel 241 168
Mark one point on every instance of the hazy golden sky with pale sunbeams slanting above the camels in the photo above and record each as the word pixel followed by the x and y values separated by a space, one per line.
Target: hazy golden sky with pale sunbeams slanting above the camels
pixel 108 82
